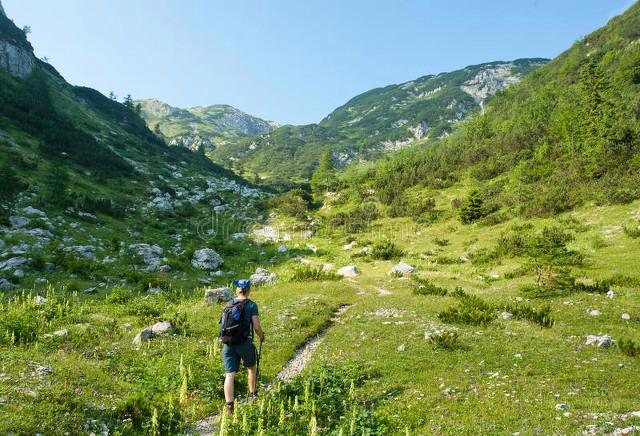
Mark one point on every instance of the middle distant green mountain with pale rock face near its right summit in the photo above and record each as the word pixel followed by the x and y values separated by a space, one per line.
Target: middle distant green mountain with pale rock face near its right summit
pixel 374 123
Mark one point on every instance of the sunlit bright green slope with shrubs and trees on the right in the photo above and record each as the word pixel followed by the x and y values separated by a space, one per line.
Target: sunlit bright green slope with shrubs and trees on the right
pixel 567 133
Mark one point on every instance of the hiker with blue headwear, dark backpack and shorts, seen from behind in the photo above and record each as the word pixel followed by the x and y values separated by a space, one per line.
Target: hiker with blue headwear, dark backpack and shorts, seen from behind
pixel 238 323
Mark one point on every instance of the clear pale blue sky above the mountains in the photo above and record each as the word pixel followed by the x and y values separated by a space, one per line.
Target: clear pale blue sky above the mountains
pixel 292 61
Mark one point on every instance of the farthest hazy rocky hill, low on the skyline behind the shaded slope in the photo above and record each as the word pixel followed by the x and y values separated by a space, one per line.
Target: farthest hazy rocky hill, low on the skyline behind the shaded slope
pixel 201 126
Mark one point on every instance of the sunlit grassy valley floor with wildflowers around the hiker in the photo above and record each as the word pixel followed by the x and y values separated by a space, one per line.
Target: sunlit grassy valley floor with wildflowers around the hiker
pixel 506 377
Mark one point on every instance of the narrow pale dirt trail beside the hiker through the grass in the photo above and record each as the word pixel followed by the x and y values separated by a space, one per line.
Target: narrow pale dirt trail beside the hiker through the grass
pixel 298 362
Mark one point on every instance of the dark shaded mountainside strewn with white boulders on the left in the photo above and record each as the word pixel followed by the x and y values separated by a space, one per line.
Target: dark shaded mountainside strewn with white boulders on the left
pixel 91 198
